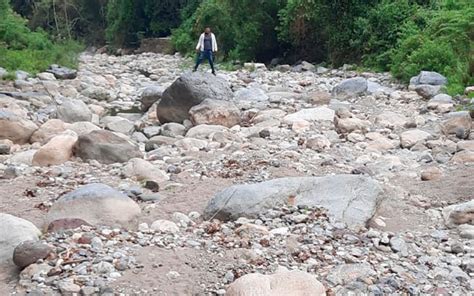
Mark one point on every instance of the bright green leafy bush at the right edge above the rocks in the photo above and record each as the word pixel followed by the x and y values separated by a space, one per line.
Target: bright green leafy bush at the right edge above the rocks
pixel 443 44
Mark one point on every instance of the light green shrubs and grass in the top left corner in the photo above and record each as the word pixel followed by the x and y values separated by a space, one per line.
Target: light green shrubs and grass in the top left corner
pixel 33 51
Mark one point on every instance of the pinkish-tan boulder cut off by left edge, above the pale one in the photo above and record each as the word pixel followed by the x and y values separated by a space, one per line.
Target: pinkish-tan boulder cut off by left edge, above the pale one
pixel 15 128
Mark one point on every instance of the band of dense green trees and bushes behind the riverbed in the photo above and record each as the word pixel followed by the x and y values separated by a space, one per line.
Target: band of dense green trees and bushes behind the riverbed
pixel 403 36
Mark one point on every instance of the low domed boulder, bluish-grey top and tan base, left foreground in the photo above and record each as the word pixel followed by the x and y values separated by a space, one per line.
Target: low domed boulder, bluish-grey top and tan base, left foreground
pixel 97 204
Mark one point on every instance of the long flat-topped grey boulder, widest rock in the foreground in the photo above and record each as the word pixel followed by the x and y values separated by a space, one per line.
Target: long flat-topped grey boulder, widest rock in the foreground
pixel 349 199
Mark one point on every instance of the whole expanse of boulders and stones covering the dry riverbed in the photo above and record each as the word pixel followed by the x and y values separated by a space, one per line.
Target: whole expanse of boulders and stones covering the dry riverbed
pixel 138 118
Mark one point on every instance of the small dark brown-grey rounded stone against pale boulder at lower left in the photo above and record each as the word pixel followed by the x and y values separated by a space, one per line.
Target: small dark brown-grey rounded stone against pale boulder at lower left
pixel 28 252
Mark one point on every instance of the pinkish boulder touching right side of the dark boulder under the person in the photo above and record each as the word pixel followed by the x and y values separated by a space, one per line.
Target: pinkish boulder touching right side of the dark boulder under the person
pixel 215 112
